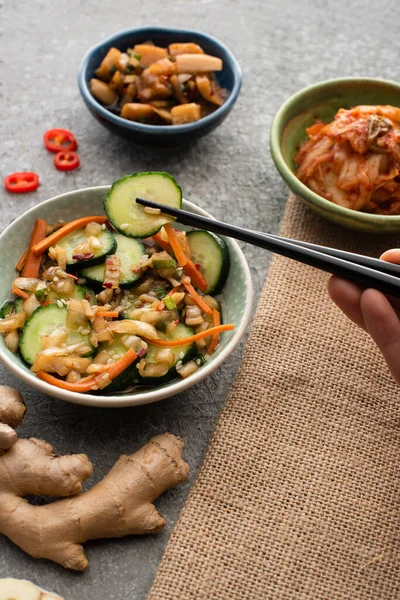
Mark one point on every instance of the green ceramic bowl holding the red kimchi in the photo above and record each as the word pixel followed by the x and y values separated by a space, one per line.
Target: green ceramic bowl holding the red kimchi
pixel 323 100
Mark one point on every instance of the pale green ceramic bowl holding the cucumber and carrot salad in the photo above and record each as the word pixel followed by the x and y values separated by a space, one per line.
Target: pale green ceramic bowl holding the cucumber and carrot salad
pixel 236 298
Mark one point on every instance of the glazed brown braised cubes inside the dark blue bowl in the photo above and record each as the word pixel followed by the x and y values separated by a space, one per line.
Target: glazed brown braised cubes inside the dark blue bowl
pixel 159 86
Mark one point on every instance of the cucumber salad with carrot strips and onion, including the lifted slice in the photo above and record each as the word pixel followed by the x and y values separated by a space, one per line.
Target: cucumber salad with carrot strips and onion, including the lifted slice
pixel 108 303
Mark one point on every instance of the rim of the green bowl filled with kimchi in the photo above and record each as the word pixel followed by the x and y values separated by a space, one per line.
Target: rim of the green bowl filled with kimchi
pixel 295 184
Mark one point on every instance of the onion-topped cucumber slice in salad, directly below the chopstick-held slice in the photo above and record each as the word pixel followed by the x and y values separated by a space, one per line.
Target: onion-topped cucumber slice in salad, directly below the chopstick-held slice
pixel 130 252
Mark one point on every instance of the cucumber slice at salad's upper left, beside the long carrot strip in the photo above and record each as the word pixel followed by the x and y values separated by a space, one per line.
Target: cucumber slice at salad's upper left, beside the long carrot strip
pixel 73 240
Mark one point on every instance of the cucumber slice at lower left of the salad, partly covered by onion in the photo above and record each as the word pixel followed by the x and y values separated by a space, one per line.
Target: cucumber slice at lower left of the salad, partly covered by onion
pixel 42 322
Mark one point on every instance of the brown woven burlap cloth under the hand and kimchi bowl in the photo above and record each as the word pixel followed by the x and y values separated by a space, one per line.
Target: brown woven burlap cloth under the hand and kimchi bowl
pixel 299 493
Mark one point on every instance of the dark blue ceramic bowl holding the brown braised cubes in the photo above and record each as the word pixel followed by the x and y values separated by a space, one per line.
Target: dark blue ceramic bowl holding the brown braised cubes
pixel 229 78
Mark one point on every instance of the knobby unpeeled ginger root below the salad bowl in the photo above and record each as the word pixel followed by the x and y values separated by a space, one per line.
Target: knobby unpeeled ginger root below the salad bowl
pixel 121 504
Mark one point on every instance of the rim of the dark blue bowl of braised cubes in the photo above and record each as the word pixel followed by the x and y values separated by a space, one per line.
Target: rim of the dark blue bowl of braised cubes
pixel 159 129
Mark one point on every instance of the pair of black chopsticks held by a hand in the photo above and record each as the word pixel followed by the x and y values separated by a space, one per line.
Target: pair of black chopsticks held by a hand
pixel 363 270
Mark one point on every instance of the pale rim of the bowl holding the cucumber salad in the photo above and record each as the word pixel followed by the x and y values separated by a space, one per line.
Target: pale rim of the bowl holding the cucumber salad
pixel 156 394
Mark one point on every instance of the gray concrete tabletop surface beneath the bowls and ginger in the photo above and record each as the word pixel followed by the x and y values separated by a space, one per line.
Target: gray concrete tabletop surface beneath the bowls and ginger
pixel 282 46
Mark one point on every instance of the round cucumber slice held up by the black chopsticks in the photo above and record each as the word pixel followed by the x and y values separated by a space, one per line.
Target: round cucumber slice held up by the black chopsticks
pixel 128 217
